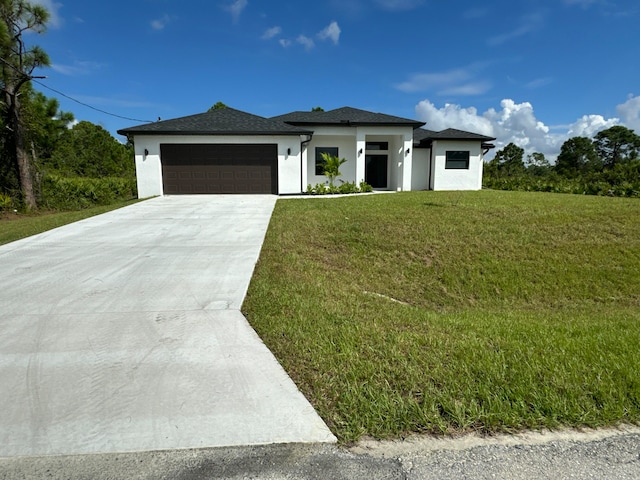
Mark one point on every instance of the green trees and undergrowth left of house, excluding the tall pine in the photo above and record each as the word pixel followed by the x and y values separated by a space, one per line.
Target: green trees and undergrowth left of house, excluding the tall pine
pixel 74 165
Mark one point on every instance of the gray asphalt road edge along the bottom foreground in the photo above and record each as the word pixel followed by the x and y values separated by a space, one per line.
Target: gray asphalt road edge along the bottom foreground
pixel 606 454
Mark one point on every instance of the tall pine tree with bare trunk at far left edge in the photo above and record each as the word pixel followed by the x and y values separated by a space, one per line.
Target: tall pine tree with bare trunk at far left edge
pixel 18 17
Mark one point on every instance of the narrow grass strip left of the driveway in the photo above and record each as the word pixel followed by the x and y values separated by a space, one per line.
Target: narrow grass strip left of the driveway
pixel 15 227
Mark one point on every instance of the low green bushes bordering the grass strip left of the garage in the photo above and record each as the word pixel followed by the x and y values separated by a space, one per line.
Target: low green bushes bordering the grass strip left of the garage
pixel 76 193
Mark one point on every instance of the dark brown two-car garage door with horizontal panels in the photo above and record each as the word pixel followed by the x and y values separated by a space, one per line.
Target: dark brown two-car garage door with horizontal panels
pixel 223 168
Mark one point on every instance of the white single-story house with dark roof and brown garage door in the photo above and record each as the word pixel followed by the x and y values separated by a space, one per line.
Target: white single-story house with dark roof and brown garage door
pixel 229 151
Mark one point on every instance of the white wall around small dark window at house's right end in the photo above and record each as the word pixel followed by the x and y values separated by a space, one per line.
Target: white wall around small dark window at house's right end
pixel 444 179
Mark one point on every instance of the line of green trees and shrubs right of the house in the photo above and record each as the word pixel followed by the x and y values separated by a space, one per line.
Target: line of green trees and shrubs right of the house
pixel 608 164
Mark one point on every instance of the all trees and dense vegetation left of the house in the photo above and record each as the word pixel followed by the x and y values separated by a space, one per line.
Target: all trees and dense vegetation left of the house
pixel 46 159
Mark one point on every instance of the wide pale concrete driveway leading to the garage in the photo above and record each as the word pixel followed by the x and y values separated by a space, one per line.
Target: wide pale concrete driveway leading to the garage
pixel 122 333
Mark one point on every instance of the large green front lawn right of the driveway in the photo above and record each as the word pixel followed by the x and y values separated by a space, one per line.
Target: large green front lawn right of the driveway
pixel 447 312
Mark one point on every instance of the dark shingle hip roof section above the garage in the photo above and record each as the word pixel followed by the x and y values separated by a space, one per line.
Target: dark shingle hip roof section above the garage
pixel 226 121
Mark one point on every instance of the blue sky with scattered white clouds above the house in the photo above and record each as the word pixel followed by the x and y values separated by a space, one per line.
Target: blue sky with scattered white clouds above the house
pixel 534 72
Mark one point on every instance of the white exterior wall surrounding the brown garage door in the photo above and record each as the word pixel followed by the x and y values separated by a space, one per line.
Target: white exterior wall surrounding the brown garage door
pixel 149 167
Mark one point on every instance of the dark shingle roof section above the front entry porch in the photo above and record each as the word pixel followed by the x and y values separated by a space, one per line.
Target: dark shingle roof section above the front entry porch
pixel 345 116
